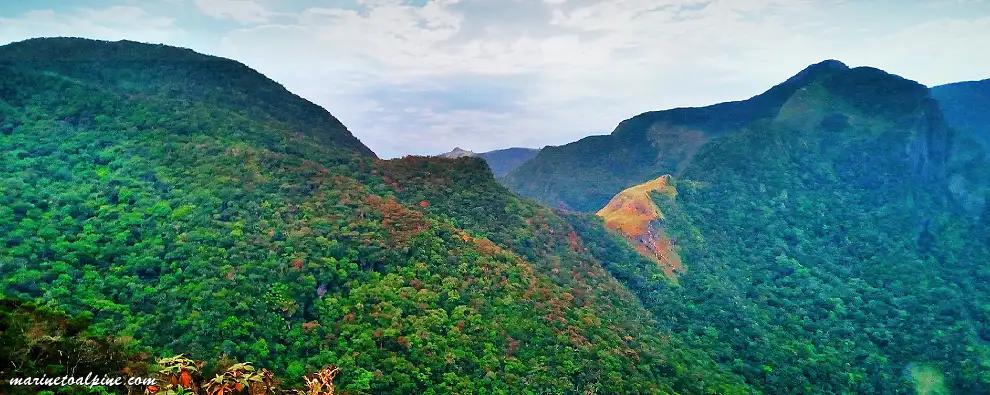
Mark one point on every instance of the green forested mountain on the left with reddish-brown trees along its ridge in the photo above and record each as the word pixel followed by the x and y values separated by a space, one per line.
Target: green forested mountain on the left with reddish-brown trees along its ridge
pixel 183 203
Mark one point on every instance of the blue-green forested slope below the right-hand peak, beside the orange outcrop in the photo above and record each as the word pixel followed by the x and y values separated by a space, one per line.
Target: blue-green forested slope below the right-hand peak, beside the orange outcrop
pixel 823 252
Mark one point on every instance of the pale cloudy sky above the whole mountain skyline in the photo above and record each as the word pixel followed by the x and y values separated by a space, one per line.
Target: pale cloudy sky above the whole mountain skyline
pixel 424 76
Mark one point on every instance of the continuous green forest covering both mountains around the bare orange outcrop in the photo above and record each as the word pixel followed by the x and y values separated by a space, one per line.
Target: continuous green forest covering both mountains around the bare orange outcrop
pixel 176 203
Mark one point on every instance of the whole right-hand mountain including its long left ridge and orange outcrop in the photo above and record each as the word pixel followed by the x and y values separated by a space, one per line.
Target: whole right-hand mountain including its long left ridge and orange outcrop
pixel 823 246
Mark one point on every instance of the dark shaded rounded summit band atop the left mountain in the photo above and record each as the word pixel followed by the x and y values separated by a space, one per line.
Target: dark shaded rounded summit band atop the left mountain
pixel 136 69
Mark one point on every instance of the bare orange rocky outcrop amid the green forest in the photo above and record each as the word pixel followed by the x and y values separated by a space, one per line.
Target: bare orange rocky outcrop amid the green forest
pixel 633 214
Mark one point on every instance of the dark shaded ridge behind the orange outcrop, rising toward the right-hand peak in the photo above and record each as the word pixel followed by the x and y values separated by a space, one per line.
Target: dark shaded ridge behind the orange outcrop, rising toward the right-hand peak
pixel 585 174
